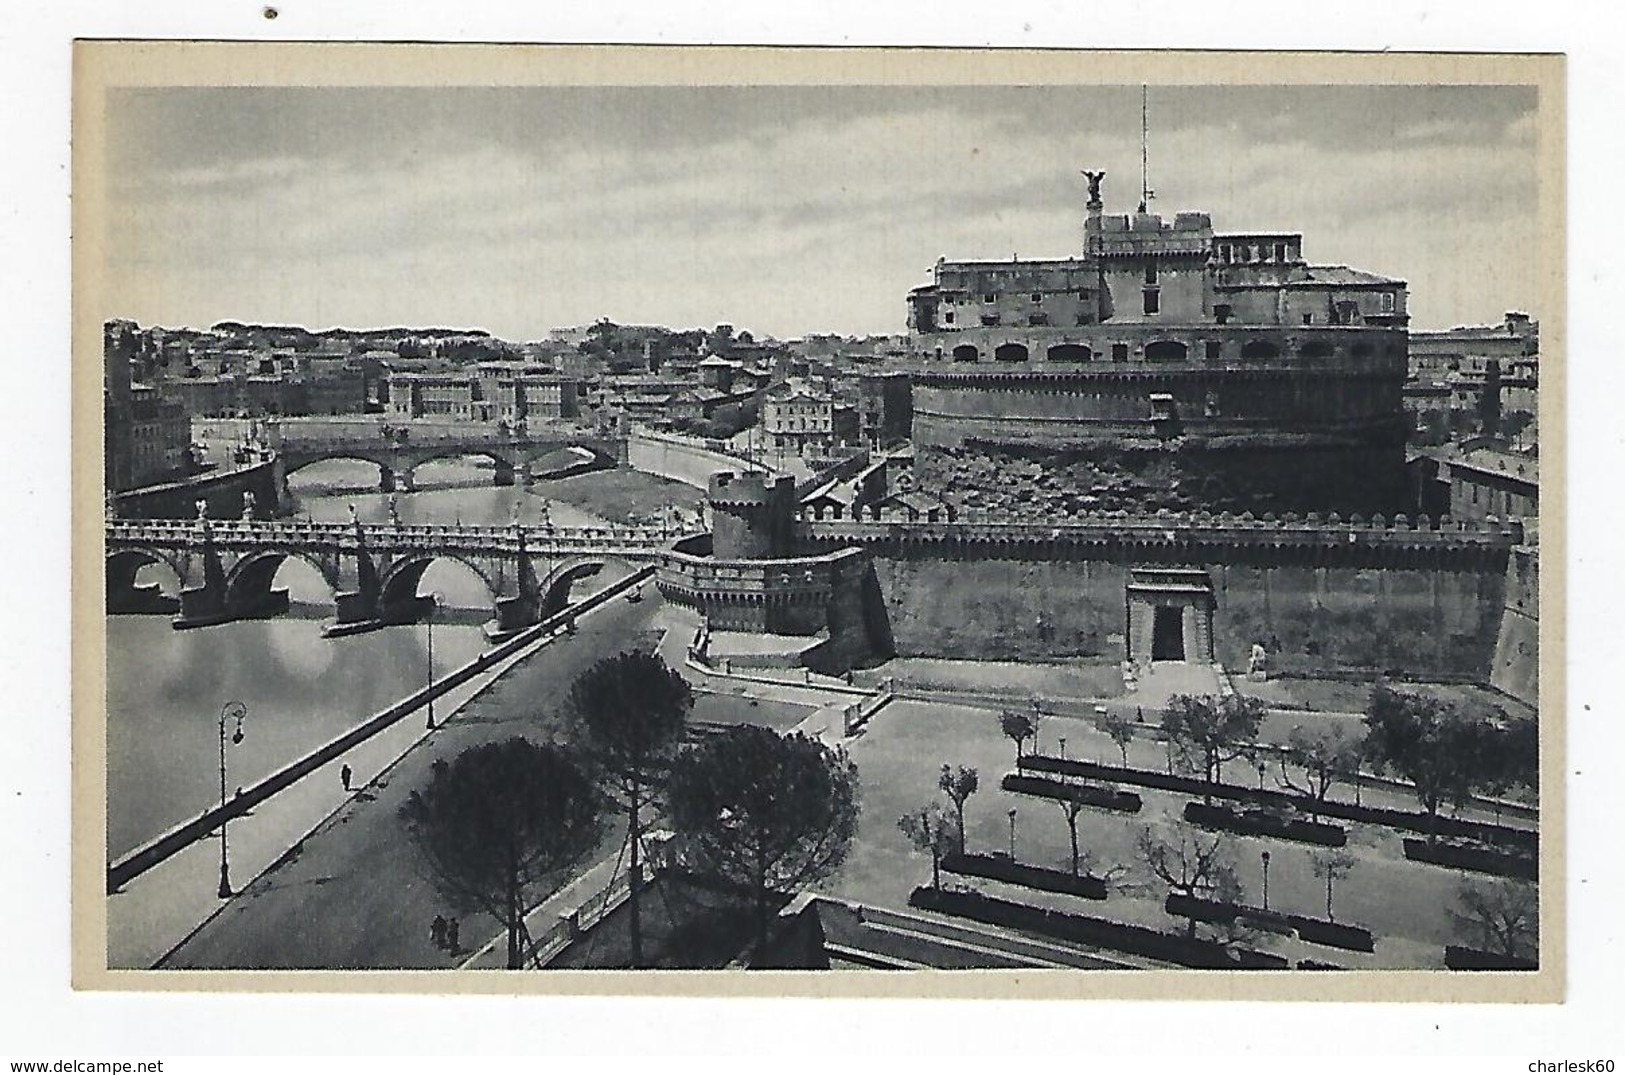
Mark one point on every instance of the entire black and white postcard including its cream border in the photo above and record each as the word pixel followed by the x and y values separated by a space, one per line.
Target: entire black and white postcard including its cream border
pixel 841 524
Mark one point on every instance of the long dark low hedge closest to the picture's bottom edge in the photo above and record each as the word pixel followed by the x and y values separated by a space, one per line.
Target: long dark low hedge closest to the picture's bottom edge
pixel 1094 931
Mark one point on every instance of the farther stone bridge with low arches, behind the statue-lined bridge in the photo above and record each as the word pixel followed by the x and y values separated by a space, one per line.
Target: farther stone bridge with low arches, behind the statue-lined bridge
pixel 397 451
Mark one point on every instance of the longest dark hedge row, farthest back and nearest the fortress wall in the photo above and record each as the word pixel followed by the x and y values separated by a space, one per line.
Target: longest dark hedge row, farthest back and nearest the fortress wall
pixel 1411 821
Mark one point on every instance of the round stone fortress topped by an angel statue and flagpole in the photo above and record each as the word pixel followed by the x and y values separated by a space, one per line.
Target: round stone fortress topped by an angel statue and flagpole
pixel 1166 366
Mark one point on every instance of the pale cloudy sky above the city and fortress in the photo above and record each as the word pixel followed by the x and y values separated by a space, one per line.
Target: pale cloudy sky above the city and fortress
pixel 781 210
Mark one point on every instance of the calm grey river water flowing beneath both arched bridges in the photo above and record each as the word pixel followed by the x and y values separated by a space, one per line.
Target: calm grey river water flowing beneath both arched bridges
pixel 167 688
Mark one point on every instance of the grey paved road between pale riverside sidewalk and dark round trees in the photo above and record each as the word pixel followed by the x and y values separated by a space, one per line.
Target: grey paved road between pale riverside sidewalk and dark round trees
pixel 355 894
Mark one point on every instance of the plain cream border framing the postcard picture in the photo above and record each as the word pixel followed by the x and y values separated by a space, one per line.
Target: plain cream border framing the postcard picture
pixel 100 66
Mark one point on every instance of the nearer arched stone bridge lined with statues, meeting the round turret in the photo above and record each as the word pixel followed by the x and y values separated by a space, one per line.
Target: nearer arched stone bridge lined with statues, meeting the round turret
pixel 228 568
